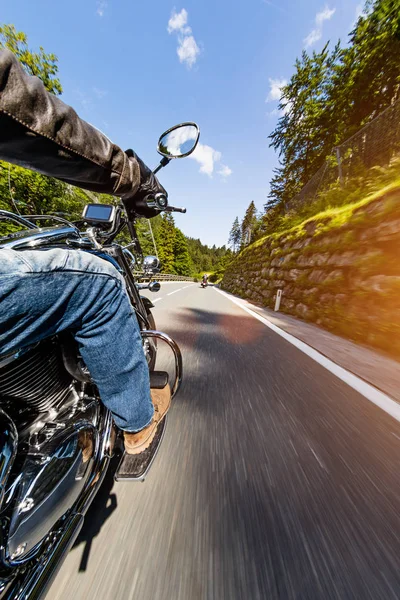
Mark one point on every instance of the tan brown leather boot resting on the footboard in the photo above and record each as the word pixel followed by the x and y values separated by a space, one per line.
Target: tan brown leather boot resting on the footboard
pixel 135 443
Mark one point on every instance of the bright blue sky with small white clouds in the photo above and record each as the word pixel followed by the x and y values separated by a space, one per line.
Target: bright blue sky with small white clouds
pixel 133 68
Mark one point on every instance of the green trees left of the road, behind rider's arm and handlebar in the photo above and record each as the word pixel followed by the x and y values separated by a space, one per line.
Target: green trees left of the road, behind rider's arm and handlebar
pixel 31 193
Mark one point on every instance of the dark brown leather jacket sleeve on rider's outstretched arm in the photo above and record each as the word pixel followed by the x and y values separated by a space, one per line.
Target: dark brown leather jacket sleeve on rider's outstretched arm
pixel 38 131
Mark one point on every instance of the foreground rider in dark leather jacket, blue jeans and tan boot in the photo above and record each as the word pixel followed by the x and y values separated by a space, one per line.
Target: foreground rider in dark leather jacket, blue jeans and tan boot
pixel 44 292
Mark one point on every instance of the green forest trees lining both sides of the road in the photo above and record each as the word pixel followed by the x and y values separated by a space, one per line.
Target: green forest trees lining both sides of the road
pixel 330 96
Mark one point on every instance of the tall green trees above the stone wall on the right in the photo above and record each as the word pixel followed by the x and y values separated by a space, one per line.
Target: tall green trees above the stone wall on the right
pixel 330 96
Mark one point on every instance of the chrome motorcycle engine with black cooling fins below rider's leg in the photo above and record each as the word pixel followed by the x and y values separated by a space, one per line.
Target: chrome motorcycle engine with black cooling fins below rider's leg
pixel 46 422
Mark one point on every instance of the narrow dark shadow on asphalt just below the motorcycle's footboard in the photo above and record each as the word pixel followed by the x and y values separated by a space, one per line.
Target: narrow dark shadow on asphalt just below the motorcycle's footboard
pixel 101 509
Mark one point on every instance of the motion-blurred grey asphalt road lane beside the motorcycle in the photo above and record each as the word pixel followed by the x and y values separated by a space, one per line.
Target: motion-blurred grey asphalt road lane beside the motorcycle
pixel 275 480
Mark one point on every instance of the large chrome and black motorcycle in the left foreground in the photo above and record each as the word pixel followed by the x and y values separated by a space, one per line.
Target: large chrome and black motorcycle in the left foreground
pixel 50 407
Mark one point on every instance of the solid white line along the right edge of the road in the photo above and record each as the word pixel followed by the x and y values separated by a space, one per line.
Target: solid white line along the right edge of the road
pixel 368 391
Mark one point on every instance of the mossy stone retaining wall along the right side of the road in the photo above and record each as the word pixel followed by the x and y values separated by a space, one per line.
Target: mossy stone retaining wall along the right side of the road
pixel 345 278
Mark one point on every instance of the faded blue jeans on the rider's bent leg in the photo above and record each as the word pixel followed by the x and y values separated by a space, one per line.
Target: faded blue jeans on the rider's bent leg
pixel 44 292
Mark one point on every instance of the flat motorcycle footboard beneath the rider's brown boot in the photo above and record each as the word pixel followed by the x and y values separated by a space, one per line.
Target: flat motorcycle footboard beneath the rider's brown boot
pixel 134 467
